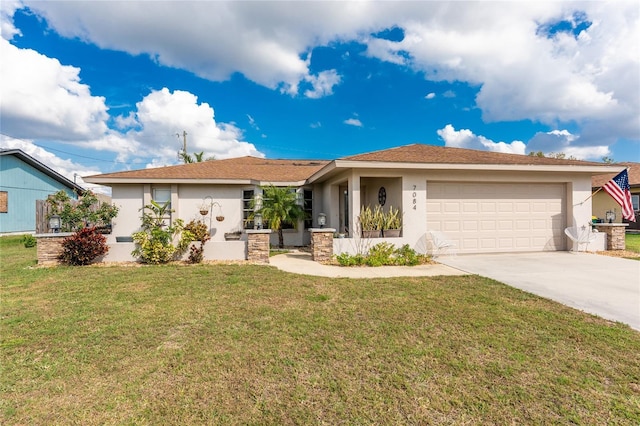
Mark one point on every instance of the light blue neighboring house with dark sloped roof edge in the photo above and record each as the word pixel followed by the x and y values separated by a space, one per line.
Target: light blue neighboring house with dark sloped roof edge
pixel 23 180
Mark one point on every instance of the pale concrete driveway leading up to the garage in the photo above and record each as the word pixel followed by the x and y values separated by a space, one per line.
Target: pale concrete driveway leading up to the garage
pixel 602 285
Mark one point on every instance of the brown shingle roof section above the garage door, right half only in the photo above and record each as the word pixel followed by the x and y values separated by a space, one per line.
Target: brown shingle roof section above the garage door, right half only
pixel 418 153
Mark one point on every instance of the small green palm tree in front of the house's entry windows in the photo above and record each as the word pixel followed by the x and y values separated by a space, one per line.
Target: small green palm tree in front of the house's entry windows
pixel 279 205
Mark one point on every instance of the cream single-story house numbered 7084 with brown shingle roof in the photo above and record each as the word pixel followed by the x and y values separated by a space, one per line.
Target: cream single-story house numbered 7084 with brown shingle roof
pixel 485 202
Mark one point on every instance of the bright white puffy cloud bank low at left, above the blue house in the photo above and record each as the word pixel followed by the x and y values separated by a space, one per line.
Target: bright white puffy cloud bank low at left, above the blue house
pixel 43 99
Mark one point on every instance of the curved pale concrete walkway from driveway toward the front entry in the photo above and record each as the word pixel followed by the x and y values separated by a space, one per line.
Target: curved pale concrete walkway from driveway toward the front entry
pixel 301 263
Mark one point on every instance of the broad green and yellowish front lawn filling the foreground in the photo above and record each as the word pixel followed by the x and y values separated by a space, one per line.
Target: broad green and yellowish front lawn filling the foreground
pixel 246 344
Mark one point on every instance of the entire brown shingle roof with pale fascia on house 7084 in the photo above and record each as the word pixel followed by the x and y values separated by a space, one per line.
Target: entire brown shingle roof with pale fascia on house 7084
pixel 252 170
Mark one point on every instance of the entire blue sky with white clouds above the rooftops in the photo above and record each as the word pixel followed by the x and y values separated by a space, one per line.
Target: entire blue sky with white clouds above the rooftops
pixel 94 87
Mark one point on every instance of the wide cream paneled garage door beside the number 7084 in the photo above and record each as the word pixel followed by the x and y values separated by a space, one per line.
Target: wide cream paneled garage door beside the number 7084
pixel 498 217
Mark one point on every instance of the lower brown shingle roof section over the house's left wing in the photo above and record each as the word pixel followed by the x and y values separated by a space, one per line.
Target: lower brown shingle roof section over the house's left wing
pixel 241 168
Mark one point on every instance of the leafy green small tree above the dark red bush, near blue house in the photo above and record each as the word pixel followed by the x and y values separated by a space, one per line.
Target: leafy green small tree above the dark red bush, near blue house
pixel 87 211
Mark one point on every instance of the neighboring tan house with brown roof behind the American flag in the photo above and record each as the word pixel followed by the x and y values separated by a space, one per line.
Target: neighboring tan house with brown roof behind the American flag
pixel 602 202
